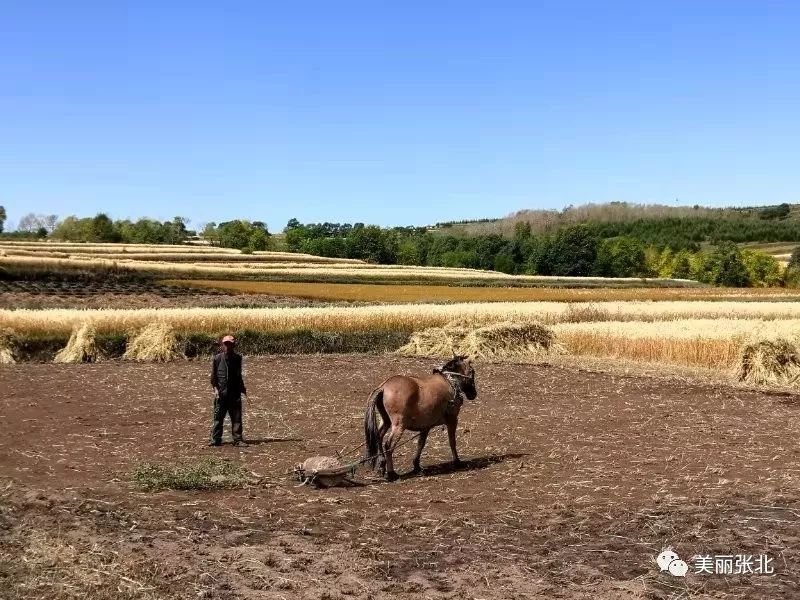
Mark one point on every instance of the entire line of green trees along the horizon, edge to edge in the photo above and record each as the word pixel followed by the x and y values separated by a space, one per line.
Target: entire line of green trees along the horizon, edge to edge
pixel 654 247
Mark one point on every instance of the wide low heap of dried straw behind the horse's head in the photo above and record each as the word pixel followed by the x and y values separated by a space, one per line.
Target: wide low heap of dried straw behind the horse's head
pixel 506 339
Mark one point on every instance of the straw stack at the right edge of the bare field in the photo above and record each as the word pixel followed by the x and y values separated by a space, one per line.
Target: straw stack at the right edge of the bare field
pixel 769 362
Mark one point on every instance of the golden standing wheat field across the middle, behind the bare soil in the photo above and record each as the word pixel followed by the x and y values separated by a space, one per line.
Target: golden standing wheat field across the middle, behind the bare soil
pixel 697 334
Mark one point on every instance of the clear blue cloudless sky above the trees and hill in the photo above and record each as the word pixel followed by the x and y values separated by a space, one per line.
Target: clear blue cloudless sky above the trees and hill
pixel 394 112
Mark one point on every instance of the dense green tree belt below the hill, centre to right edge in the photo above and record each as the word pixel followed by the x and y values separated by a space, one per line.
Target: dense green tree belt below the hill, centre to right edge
pixel 575 250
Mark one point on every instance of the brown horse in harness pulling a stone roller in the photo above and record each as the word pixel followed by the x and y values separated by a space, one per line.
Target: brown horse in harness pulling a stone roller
pixel 416 404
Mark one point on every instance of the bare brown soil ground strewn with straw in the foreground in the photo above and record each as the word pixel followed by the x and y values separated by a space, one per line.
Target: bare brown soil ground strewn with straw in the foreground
pixel 574 482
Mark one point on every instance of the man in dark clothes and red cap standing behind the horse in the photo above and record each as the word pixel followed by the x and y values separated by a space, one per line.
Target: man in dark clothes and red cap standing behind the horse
pixel 226 379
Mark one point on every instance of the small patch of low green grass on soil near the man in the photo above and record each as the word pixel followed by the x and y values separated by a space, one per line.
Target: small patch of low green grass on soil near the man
pixel 208 474
